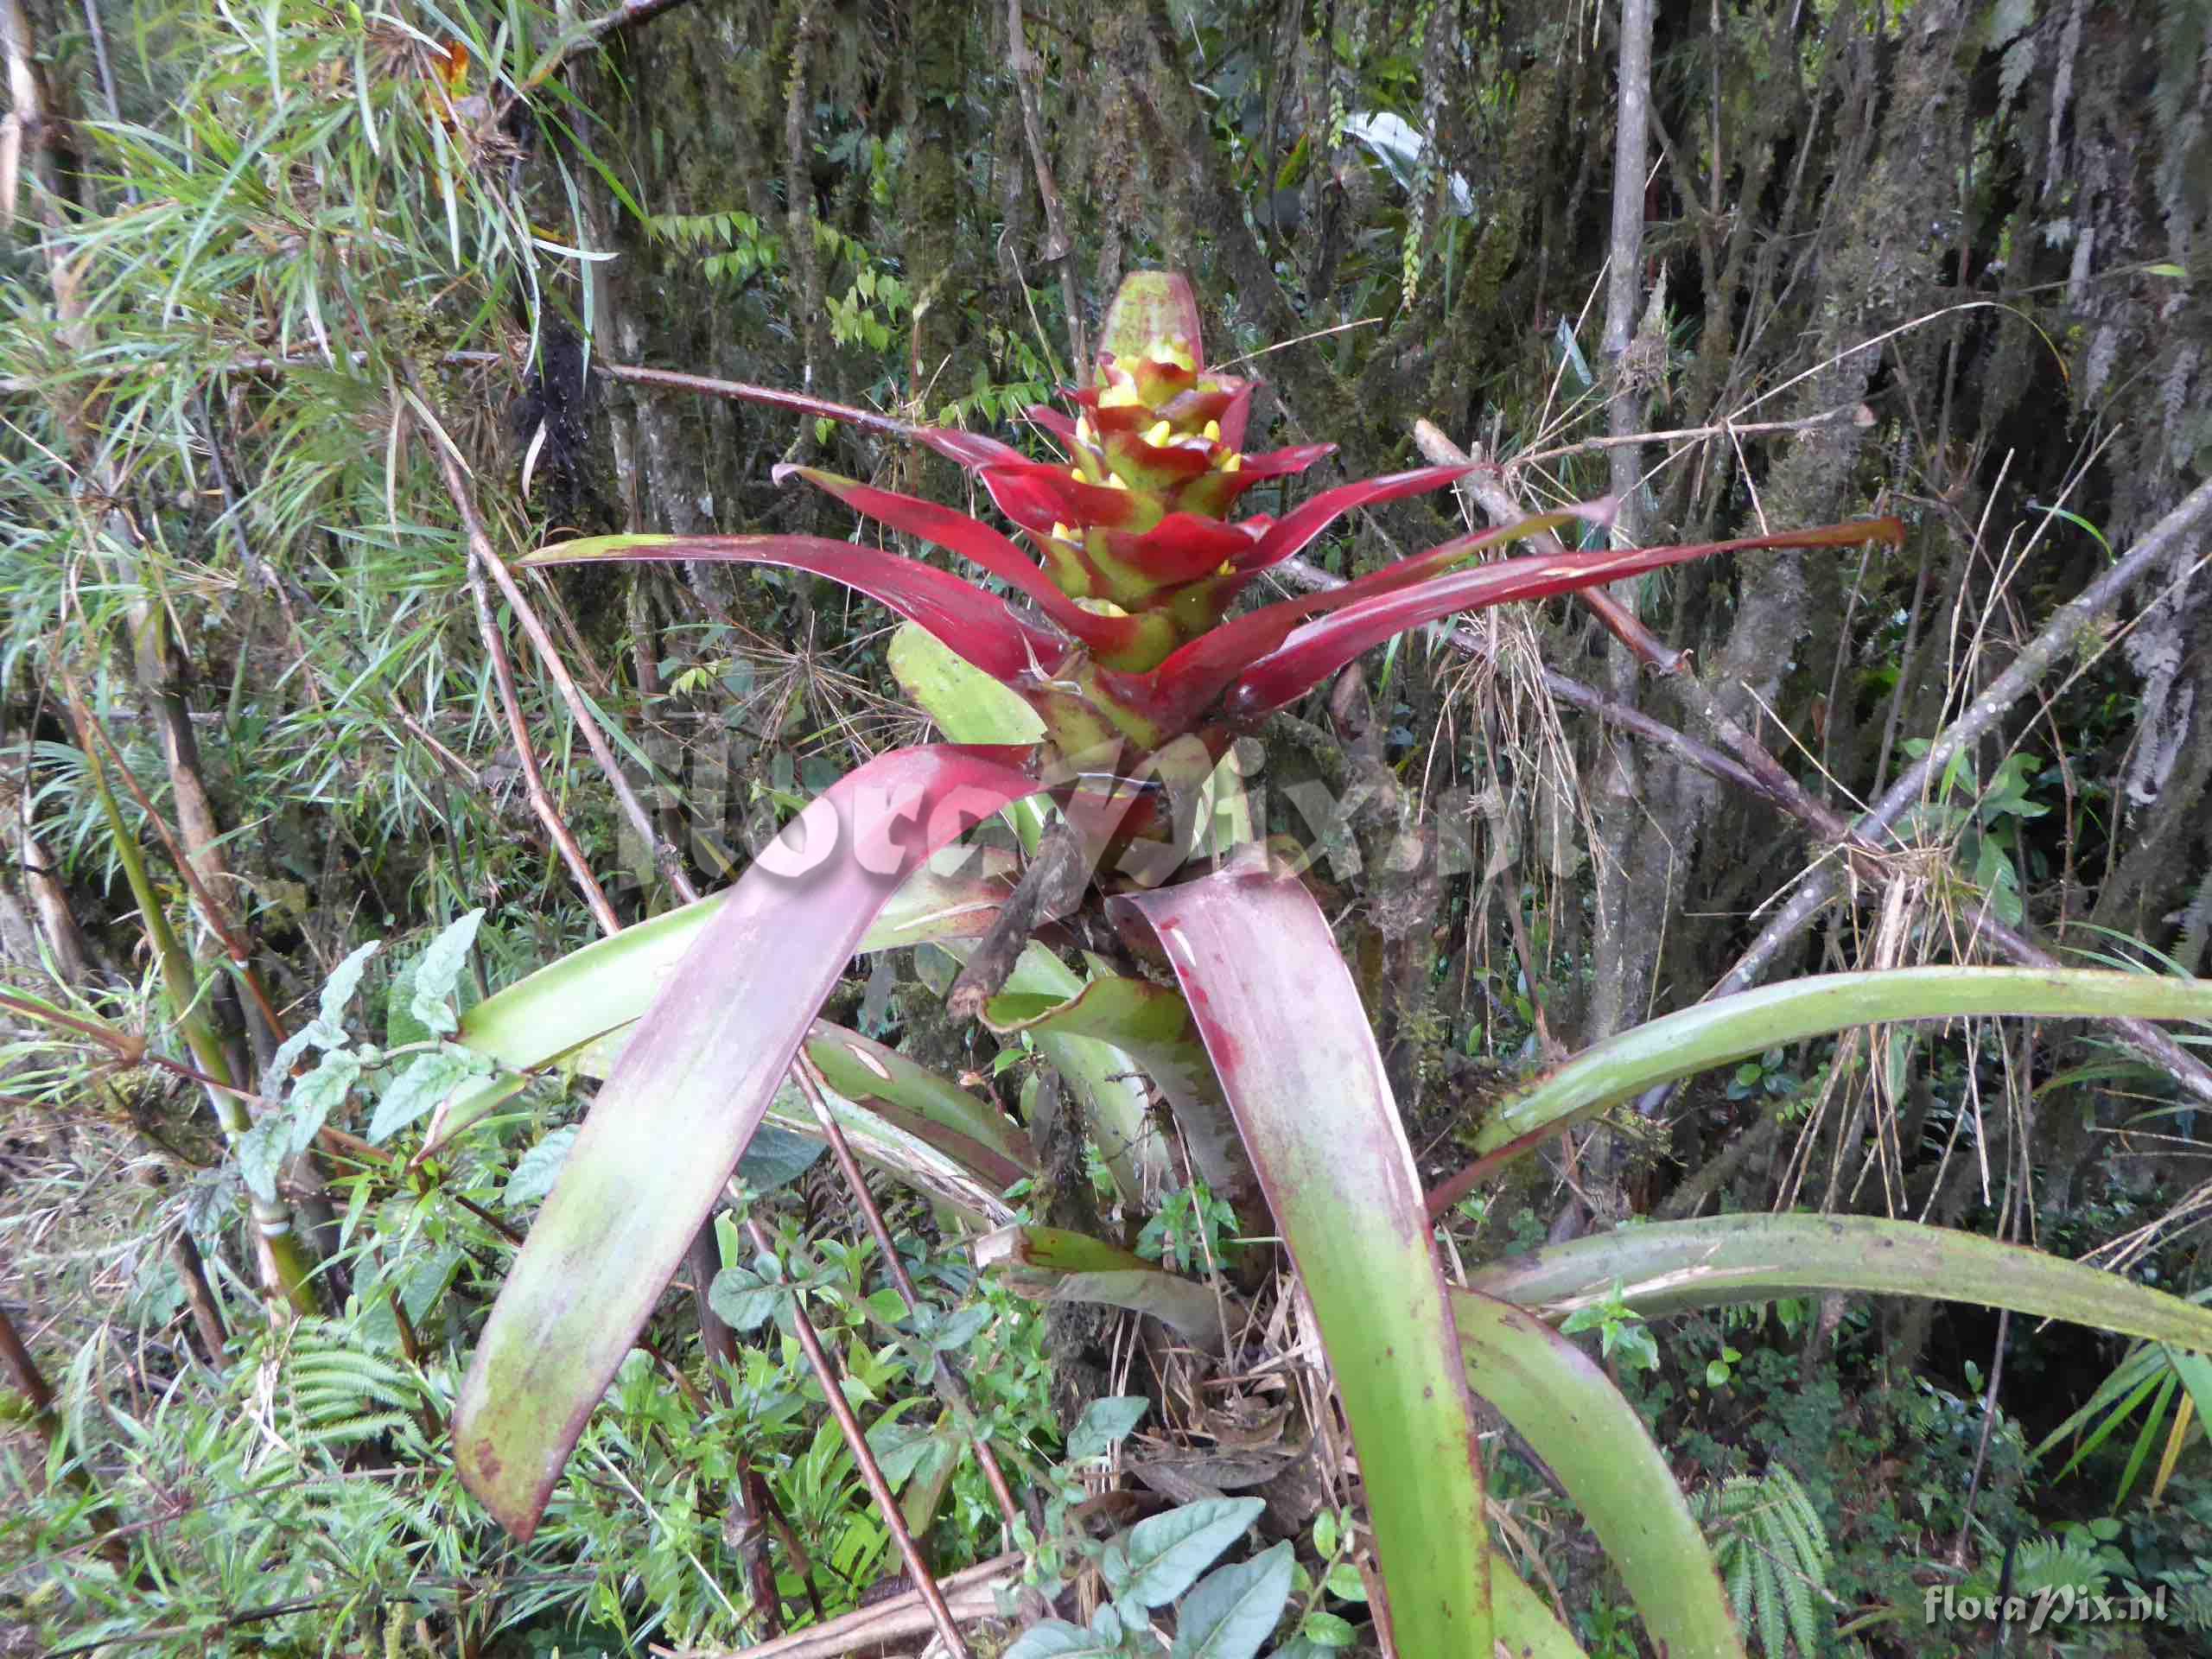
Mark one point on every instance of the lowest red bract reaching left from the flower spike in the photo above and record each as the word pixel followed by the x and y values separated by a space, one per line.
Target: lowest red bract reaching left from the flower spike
pixel 972 623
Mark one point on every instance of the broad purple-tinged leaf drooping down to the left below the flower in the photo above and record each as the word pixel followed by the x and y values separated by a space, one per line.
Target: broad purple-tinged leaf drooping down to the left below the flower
pixel 682 1105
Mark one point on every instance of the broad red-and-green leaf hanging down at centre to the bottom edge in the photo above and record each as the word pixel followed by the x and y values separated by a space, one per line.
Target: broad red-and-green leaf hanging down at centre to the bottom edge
pixel 1284 1025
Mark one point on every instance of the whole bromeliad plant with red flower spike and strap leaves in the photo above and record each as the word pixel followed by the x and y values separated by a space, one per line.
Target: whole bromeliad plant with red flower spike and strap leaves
pixel 1118 638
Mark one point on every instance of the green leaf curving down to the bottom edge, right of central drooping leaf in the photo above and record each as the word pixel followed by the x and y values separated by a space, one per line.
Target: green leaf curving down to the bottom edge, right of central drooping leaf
pixel 1594 1441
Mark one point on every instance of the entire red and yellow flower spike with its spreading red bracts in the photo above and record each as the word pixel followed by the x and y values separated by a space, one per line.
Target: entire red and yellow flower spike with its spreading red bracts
pixel 1138 559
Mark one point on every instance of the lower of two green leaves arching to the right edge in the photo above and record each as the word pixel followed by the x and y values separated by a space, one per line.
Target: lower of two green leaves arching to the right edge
pixel 1671 1266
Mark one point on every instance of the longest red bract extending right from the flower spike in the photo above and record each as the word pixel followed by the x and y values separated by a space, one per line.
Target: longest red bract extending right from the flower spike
pixel 1319 649
